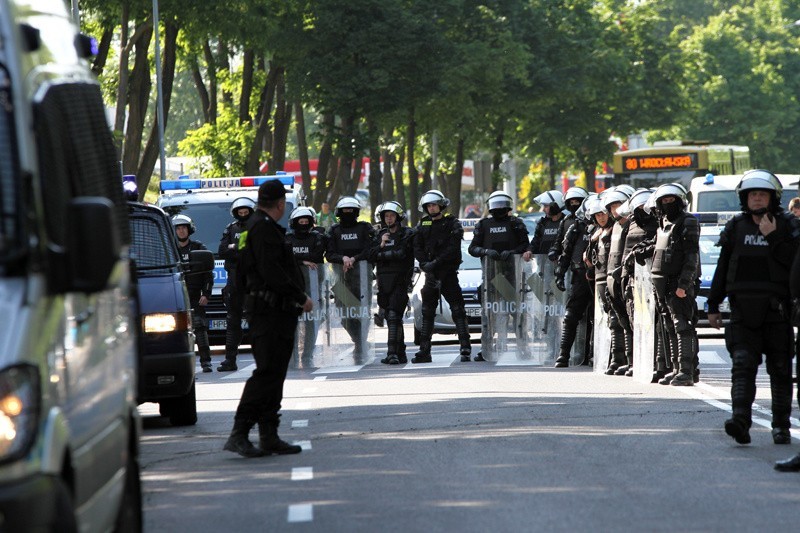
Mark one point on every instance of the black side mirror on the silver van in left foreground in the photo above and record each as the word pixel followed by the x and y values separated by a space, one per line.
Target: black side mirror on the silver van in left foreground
pixel 93 247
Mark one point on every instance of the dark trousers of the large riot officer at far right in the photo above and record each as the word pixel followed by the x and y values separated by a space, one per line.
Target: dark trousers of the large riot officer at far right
pixel 746 339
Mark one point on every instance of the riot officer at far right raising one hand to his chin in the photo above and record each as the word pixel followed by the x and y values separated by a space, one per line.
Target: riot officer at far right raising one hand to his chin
pixel 757 249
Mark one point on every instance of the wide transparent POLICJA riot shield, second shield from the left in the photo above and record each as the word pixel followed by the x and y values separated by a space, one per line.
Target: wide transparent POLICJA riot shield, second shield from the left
pixel 347 338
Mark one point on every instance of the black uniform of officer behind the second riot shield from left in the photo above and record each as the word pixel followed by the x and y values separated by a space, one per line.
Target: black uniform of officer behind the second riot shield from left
pixel 351 239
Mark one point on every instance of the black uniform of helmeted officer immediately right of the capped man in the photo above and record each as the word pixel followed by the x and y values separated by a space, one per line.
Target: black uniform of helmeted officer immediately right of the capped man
pixel 309 246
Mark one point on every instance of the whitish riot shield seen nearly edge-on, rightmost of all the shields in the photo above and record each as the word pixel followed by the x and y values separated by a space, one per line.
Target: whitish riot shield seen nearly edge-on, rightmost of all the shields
pixel 644 324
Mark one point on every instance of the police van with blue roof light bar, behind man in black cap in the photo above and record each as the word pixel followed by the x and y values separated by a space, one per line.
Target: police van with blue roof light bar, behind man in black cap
pixel 208 203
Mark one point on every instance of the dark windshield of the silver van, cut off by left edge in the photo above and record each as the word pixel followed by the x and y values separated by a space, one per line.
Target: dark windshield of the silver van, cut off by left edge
pixel 11 238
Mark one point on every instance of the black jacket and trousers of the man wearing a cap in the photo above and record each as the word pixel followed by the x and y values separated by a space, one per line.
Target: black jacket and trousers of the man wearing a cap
pixel 274 298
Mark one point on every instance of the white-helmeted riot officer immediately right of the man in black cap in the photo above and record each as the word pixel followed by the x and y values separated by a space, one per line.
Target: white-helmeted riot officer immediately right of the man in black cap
pixel 308 247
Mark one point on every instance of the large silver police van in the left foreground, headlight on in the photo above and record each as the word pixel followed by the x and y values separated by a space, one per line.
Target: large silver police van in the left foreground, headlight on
pixel 69 425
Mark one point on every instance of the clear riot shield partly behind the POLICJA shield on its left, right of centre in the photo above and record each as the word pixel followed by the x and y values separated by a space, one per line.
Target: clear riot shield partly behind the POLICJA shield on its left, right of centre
pixel 548 306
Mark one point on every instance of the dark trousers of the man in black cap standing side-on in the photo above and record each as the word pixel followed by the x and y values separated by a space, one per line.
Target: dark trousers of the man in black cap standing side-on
pixel 272 338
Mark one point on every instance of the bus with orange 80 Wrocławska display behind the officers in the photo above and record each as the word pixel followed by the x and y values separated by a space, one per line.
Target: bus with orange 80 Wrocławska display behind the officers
pixel 678 162
